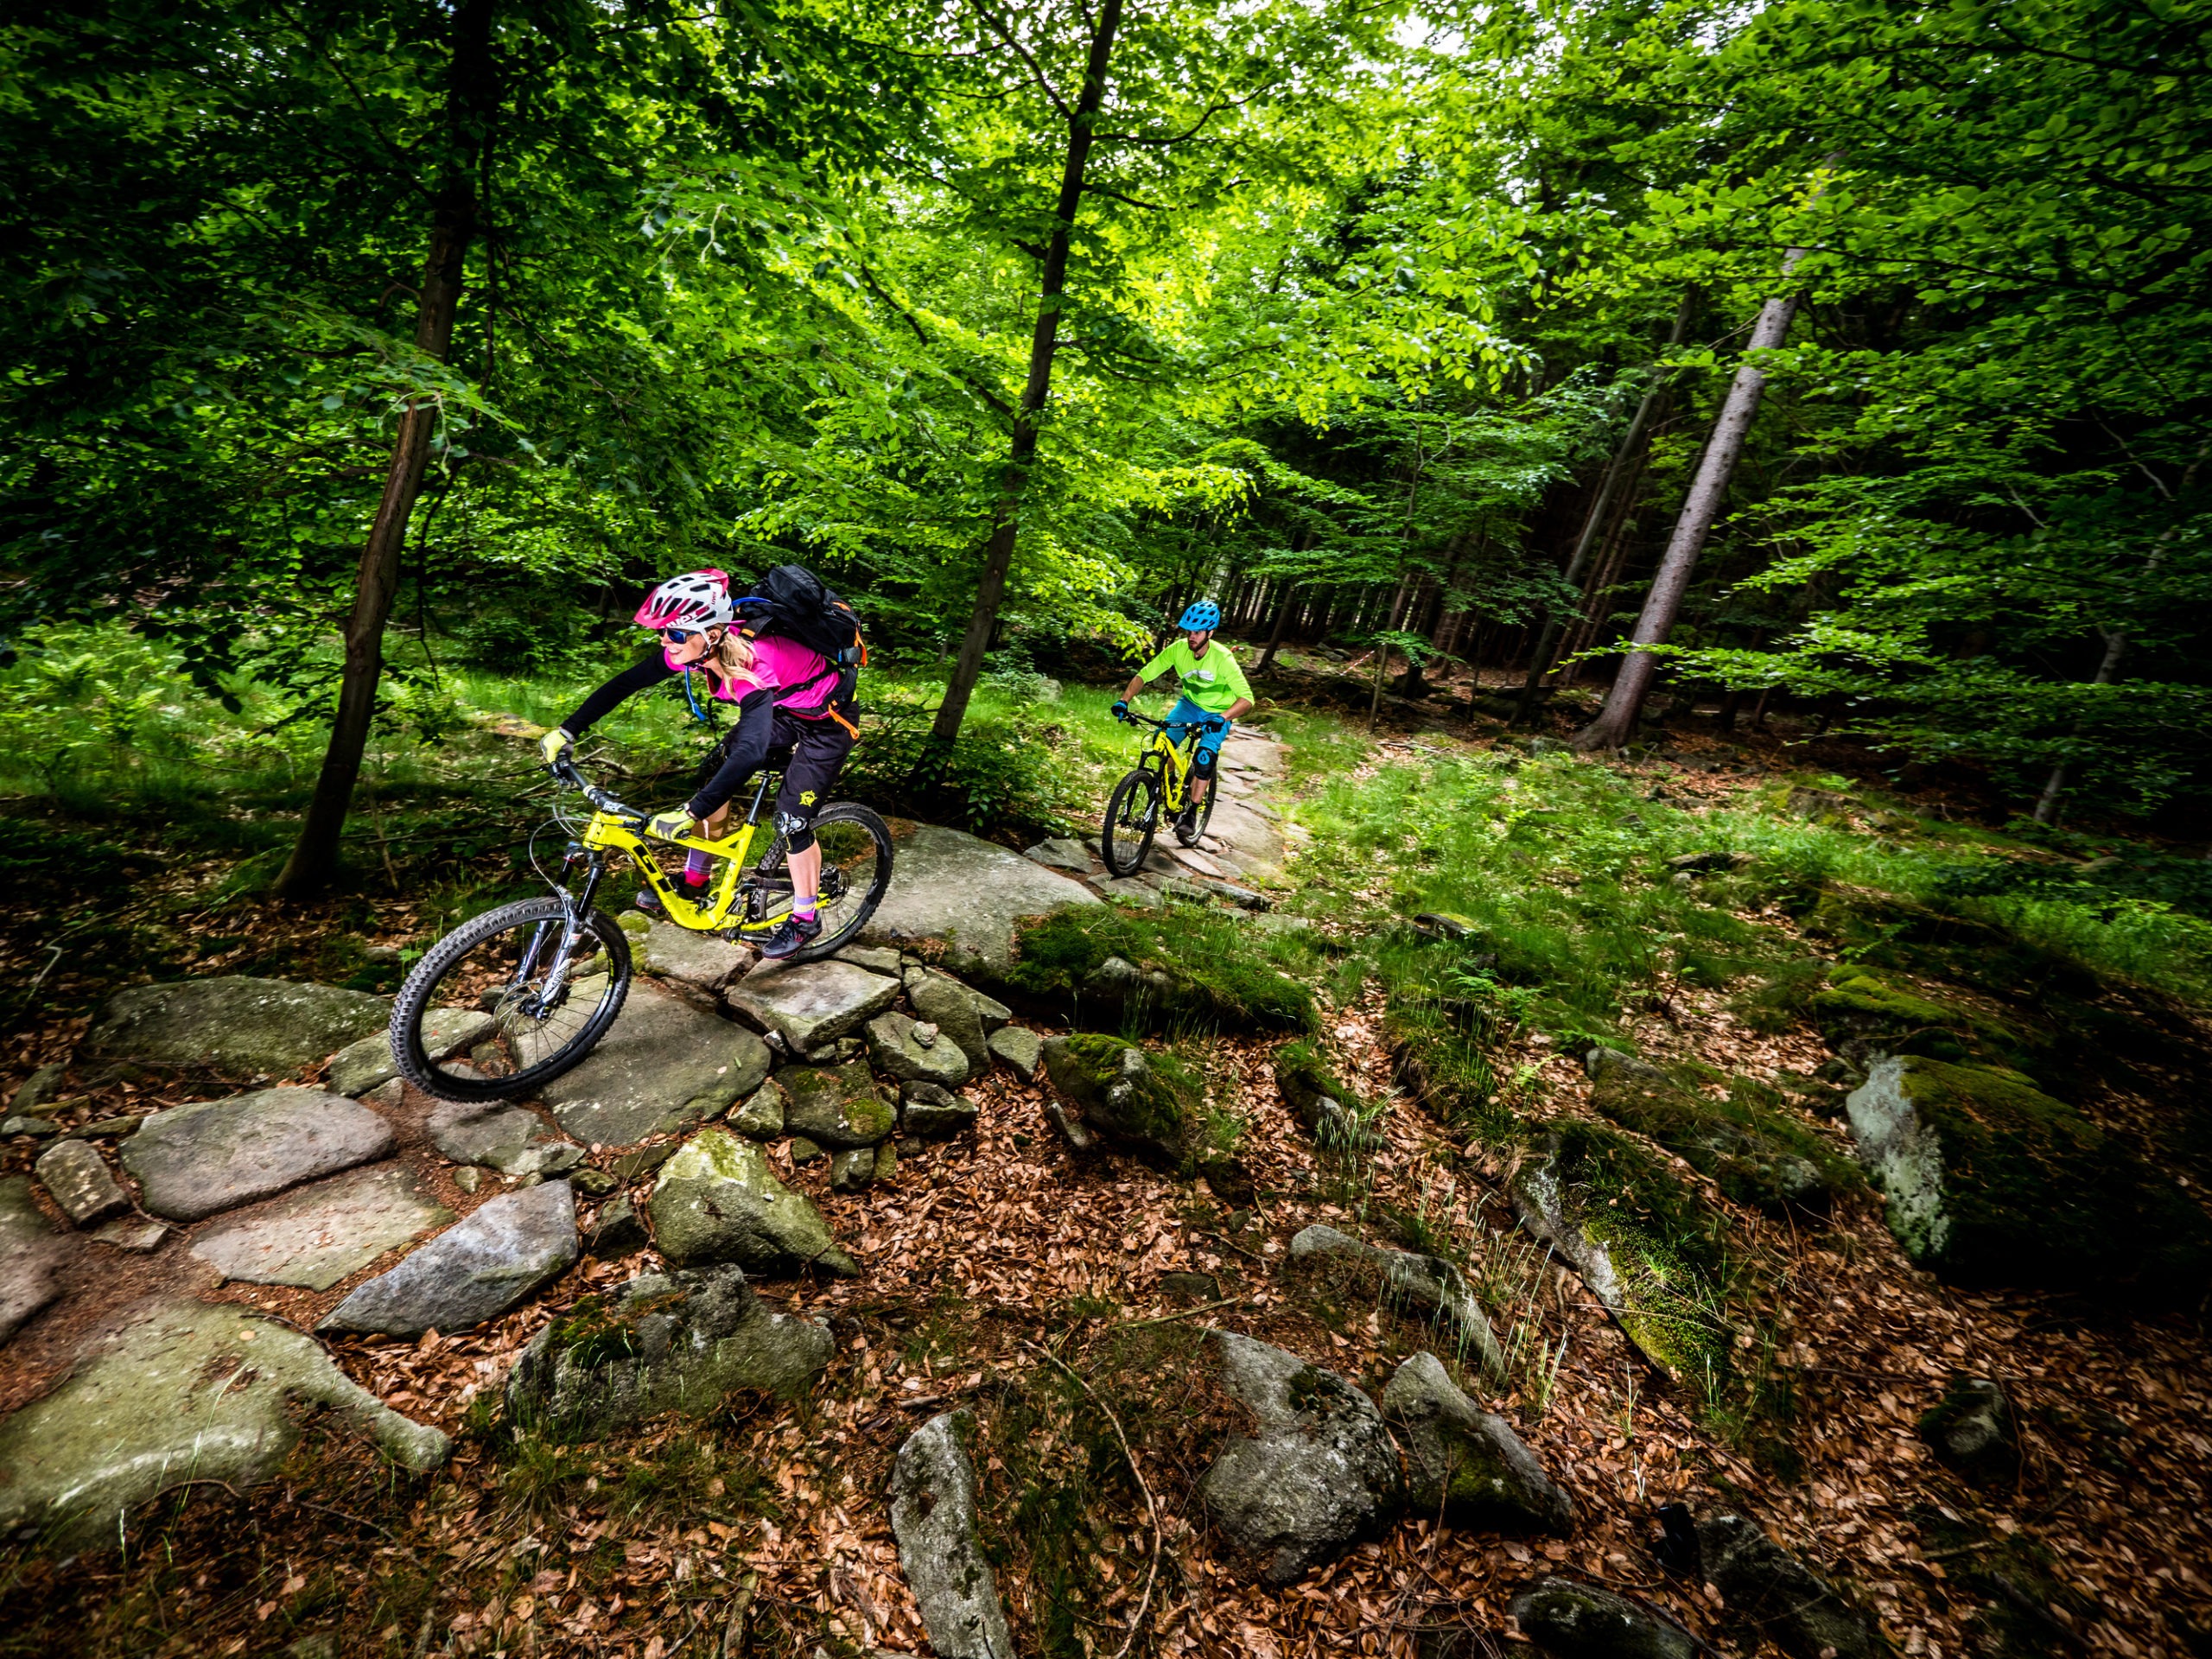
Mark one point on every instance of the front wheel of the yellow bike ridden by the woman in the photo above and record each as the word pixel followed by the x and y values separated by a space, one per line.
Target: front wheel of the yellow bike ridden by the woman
pixel 499 1010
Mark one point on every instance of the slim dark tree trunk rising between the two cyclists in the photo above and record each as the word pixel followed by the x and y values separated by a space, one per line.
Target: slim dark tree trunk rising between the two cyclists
pixel 1043 344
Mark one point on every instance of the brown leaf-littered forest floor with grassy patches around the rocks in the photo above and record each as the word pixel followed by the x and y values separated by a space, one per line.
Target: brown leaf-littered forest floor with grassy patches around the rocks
pixel 1034 1286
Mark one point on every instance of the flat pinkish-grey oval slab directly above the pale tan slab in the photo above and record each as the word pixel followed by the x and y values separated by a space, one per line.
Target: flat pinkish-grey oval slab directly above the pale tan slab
pixel 222 1154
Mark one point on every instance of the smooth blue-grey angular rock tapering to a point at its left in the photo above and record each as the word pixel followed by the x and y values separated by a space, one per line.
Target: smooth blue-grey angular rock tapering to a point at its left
pixel 470 1273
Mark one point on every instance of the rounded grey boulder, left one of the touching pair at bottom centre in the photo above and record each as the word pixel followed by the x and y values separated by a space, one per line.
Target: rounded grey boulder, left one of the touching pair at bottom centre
pixel 1317 1479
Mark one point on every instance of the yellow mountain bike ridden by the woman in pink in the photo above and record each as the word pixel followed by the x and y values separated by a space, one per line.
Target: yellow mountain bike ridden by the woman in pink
pixel 514 999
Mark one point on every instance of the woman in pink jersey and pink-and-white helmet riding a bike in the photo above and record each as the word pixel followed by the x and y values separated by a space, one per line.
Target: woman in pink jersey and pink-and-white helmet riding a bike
pixel 786 711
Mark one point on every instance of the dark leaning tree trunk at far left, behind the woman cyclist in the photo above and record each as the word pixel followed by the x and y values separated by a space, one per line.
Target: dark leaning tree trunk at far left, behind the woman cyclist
pixel 470 107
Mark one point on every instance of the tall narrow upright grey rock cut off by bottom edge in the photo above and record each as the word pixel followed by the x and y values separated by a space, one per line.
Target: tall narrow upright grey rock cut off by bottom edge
pixel 937 1523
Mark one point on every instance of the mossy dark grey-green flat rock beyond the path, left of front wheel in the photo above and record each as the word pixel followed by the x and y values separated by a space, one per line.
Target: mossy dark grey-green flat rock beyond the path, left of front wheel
pixel 233 1027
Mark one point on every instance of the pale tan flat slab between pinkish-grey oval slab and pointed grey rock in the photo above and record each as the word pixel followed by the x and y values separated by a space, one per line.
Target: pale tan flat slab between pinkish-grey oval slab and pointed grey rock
pixel 322 1233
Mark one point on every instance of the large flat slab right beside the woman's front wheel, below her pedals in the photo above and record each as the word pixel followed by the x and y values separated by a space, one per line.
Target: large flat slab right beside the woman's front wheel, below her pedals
pixel 662 1067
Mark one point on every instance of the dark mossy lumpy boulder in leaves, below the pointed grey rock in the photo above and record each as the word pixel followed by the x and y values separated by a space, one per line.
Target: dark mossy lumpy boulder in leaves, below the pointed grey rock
pixel 680 1342
